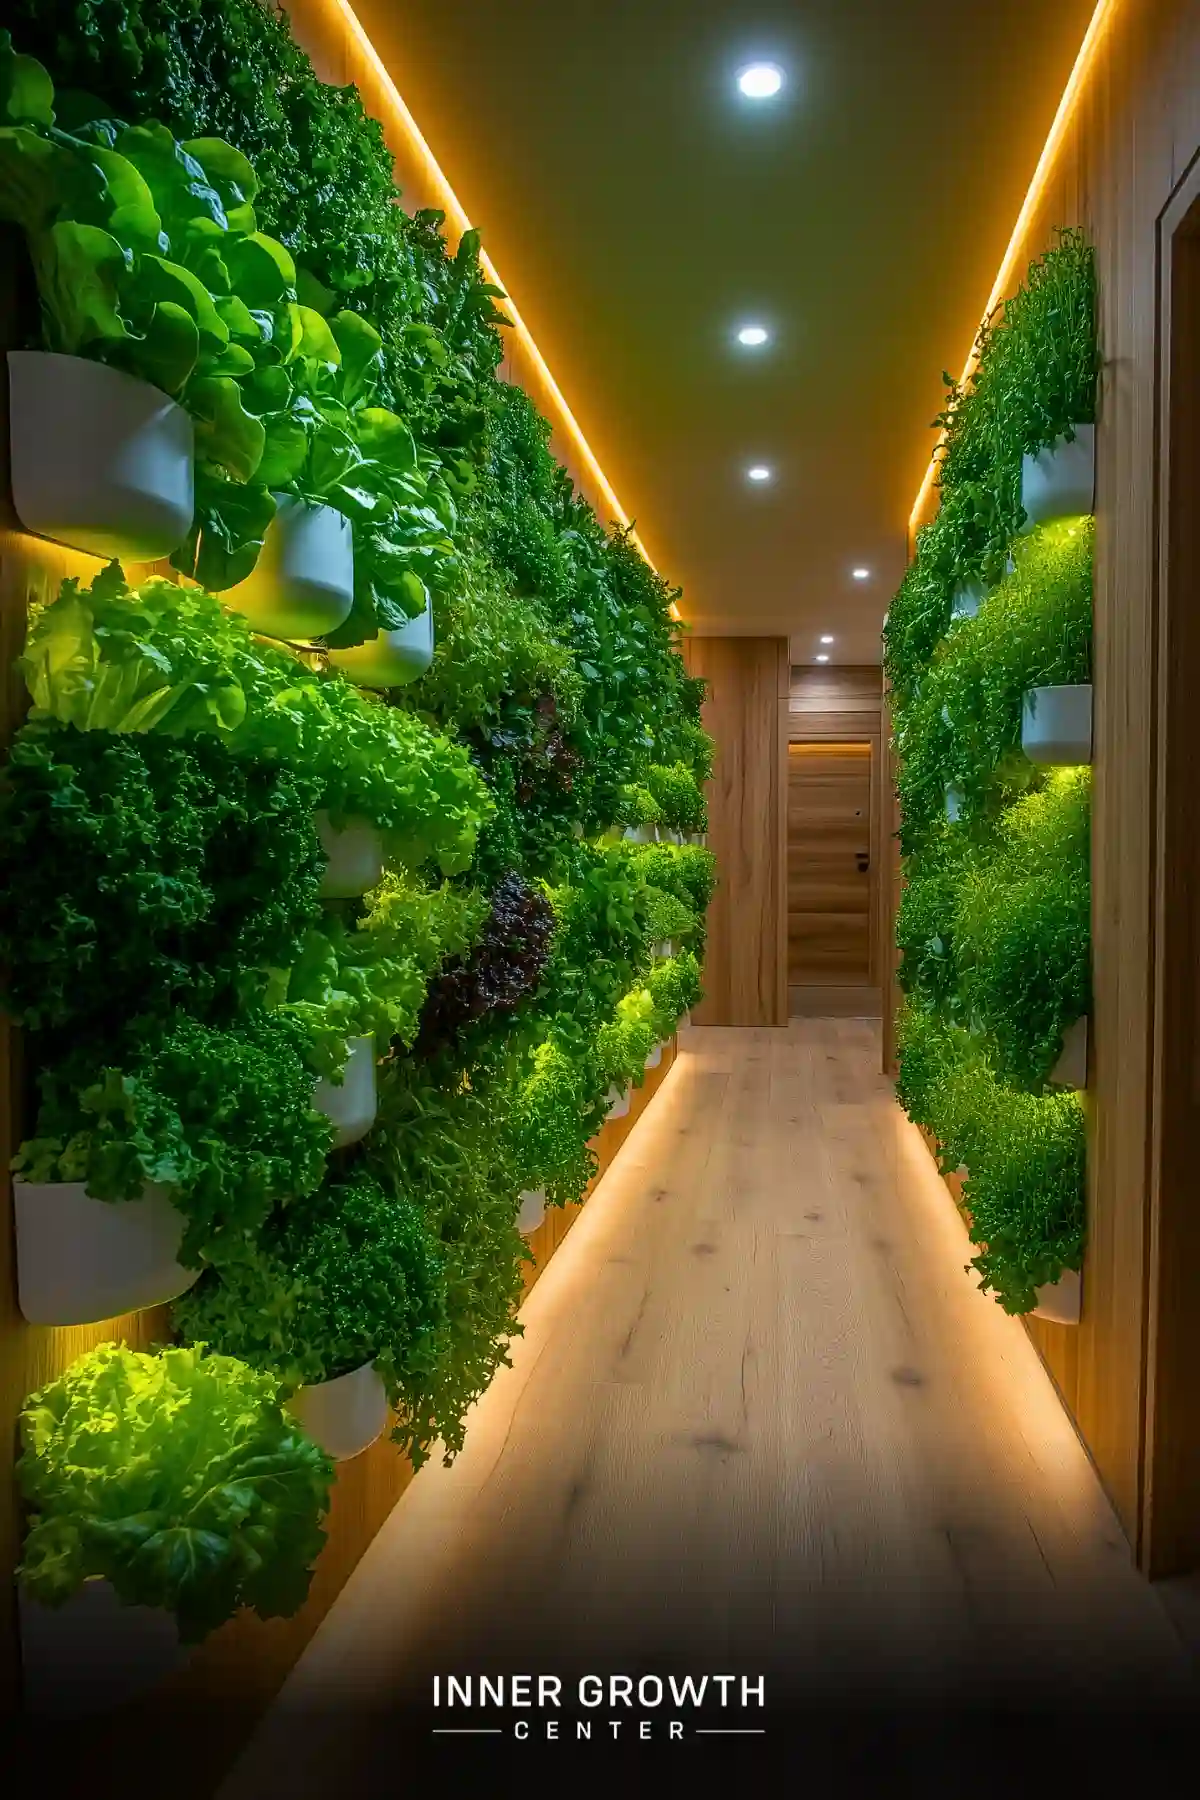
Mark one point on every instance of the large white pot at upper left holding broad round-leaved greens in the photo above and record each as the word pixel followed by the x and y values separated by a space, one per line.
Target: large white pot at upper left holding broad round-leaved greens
pixel 102 462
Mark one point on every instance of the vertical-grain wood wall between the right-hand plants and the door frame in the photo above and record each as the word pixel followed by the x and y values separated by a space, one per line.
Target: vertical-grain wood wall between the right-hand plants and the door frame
pixel 1133 141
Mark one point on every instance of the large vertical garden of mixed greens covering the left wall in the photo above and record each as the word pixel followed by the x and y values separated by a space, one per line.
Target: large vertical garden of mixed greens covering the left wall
pixel 361 845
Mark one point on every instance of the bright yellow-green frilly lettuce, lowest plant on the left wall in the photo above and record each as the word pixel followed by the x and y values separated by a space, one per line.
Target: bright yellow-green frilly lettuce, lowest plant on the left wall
pixel 177 1479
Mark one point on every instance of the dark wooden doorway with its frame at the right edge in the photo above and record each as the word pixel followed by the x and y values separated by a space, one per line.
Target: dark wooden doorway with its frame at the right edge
pixel 1169 1538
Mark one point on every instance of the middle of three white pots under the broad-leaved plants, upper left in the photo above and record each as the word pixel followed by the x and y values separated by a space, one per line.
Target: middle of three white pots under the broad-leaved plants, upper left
pixel 303 584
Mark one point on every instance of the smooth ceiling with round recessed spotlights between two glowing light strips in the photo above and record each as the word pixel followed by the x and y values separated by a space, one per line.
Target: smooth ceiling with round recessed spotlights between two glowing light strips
pixel 641 210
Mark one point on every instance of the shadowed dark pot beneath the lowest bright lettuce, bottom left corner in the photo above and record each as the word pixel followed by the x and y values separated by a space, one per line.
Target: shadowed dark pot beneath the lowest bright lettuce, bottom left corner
pixel 93 1653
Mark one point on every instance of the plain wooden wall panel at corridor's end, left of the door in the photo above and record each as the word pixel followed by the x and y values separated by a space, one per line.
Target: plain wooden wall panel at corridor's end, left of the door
pixel 746 971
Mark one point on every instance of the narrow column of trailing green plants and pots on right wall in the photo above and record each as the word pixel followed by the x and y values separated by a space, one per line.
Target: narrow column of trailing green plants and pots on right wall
pixel 987 652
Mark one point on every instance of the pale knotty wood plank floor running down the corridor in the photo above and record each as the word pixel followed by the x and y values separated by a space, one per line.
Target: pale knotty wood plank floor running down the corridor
pixel 760 1423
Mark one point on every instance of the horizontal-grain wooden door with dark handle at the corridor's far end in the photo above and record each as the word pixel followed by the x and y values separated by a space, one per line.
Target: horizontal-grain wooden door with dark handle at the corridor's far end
pixel 830 840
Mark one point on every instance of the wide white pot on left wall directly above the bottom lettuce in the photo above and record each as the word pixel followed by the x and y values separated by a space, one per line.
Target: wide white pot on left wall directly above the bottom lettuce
pixel 82 1261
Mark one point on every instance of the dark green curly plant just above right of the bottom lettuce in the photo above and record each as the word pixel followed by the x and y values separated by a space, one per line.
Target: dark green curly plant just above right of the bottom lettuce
pixel 341 1279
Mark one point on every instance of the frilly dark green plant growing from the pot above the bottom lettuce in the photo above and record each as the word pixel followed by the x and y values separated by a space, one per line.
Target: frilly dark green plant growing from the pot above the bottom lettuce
pixel 222 1119
